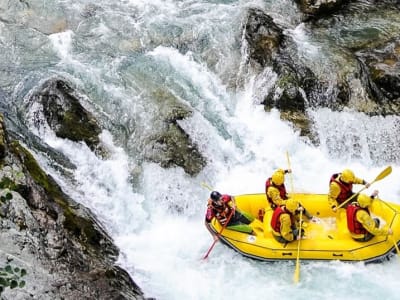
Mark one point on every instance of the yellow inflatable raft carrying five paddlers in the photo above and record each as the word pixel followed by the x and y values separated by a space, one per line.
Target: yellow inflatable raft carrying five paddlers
pixel 326 239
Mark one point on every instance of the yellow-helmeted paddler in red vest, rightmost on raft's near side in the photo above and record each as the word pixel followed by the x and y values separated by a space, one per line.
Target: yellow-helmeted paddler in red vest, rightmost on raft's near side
pixel 361 225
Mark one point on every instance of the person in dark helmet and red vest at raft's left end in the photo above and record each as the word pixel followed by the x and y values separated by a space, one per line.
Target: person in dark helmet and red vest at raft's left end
pixel 222 207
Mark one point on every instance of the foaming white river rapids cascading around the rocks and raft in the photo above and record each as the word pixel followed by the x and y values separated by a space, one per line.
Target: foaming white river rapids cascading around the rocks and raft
pixel 118 53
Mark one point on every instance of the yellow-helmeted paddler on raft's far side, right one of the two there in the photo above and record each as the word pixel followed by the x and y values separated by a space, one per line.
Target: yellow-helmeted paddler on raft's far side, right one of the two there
pixel 341 187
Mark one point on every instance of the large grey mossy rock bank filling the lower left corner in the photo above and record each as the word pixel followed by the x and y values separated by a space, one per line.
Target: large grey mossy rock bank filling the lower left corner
pixel 60 244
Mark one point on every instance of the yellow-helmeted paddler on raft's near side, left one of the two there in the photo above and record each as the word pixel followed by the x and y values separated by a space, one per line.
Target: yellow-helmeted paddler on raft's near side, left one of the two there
pixel 284 224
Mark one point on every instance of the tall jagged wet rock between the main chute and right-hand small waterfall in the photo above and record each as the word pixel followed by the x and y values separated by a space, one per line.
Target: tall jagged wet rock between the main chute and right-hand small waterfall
pixel 296 87
